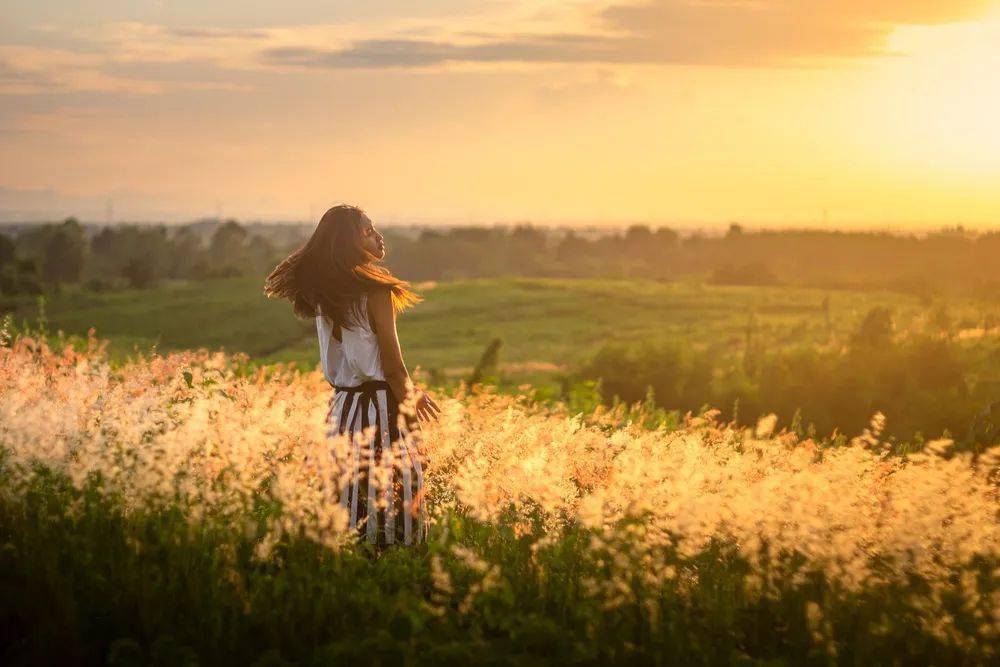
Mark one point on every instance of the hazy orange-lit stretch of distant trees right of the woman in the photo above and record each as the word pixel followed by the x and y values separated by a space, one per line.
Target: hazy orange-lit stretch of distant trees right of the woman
pixel 950 260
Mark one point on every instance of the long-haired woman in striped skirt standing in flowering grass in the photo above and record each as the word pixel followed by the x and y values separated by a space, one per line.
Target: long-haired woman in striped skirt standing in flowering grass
pixel 337 278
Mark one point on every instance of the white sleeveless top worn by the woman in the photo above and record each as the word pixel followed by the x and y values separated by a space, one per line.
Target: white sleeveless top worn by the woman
pixel 353 359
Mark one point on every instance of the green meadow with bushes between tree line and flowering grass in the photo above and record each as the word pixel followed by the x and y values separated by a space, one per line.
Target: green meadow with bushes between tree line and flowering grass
pixel 933 368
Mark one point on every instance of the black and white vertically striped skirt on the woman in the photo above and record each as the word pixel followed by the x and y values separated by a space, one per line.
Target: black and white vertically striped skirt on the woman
pixel 384 489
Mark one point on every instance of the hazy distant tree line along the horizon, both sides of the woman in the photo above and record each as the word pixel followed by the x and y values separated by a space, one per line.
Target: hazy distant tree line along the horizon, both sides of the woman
pixel 946 261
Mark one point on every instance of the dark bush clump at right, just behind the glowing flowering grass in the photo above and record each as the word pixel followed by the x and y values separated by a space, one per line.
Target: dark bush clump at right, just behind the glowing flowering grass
pixel 921 384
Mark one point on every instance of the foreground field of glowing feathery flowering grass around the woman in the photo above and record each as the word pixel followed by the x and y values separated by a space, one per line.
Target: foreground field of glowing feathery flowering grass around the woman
pixel 182 509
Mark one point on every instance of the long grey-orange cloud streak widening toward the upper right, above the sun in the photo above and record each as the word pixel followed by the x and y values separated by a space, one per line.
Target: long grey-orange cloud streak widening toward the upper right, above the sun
pixel 706 32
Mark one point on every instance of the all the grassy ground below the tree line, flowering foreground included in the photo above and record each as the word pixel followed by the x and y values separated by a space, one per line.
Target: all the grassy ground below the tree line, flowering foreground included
pixel 136 497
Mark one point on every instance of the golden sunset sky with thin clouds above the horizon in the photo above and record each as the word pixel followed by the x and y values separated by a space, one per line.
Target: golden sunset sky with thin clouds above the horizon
pixel 773 113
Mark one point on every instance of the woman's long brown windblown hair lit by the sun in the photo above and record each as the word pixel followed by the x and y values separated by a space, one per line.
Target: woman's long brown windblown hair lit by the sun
pixel 331 271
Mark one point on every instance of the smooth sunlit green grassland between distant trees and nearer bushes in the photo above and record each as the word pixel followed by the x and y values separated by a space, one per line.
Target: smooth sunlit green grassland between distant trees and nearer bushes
pixel 541 322
